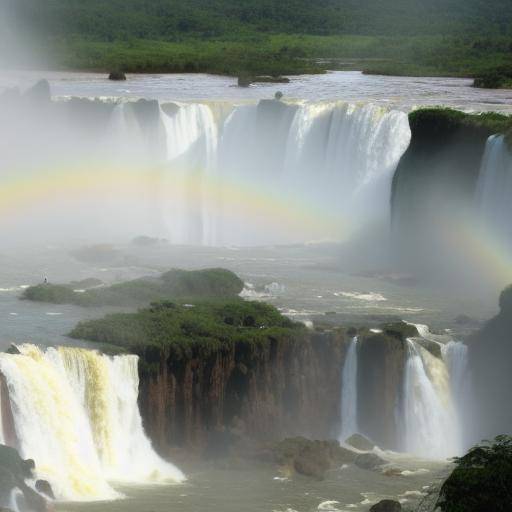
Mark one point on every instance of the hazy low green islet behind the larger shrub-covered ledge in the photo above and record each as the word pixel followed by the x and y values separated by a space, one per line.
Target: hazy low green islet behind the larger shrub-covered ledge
pixel 213 283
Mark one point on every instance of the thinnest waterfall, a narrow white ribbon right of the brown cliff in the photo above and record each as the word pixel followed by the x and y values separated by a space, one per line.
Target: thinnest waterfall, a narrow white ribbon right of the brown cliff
pixel 349 393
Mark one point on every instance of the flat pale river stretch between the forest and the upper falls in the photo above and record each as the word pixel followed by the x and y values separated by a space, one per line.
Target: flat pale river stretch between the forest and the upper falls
pixel 352 86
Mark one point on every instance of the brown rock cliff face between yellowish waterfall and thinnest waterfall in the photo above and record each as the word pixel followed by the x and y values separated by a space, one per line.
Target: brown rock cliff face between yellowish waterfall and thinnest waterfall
pixel 268 391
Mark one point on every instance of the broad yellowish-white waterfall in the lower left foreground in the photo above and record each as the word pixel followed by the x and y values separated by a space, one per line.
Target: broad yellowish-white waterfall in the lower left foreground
pixel 75 413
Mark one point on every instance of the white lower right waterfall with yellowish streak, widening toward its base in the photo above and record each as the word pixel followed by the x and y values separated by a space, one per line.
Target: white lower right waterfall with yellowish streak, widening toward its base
pixel 429 418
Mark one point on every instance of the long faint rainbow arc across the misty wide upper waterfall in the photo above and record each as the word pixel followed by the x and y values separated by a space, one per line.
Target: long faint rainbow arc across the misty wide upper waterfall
pixel 23 191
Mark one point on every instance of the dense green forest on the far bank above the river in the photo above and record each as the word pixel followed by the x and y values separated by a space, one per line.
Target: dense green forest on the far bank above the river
pixel 437 37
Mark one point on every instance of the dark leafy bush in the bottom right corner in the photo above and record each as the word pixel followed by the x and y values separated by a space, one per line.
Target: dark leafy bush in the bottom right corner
pixel 481 480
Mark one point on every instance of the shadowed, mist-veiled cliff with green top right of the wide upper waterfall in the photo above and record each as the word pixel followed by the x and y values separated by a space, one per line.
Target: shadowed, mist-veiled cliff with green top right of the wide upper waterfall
pixel 434 186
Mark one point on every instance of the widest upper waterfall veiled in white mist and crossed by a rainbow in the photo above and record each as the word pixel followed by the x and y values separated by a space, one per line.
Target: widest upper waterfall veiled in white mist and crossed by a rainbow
pixel 203 173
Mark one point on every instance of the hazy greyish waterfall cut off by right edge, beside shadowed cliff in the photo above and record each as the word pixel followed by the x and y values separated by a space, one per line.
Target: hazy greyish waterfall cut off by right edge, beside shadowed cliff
pixel 494 190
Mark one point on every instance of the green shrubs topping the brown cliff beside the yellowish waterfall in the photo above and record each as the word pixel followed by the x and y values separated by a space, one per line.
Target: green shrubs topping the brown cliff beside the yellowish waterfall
pixel 183 329
